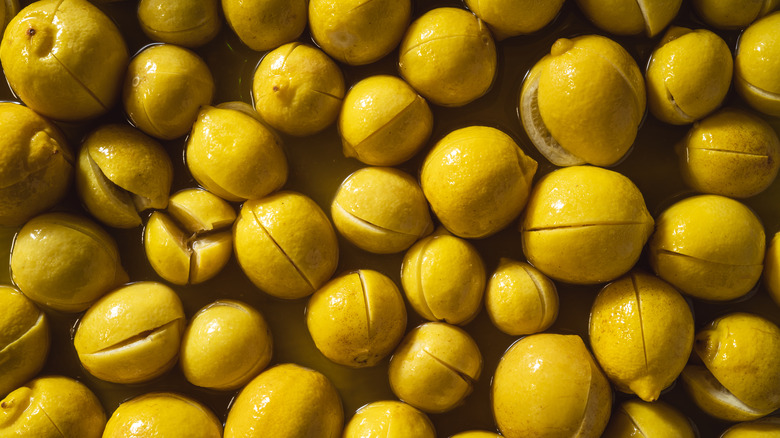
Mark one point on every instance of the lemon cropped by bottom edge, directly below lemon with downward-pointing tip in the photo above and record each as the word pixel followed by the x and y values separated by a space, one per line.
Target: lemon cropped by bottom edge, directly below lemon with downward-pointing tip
pixel 635 418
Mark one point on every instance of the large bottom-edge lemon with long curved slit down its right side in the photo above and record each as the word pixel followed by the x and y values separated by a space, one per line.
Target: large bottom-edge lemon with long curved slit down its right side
pixel 549 385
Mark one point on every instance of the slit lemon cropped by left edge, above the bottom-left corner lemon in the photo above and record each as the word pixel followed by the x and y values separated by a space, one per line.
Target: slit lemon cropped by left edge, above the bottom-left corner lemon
pixel 24 339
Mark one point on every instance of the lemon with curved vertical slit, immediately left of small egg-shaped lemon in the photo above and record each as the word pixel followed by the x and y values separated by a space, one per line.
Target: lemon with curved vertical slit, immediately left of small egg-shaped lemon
pixel 444 278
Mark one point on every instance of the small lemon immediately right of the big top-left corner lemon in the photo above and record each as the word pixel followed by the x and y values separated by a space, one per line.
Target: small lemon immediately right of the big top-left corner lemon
pixel 164 89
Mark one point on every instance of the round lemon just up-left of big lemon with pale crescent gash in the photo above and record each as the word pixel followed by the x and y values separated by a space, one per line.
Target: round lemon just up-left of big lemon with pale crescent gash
pixel 448 55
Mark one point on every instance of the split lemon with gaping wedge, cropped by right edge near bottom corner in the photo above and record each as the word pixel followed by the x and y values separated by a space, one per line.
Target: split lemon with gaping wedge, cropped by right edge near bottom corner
pixel 740 379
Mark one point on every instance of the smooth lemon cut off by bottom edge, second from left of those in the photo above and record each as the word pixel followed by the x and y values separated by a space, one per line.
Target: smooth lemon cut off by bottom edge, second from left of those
pixel 287 401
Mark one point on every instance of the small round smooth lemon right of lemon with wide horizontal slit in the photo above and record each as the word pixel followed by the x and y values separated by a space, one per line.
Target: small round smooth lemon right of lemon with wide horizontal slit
pixel 225 346
